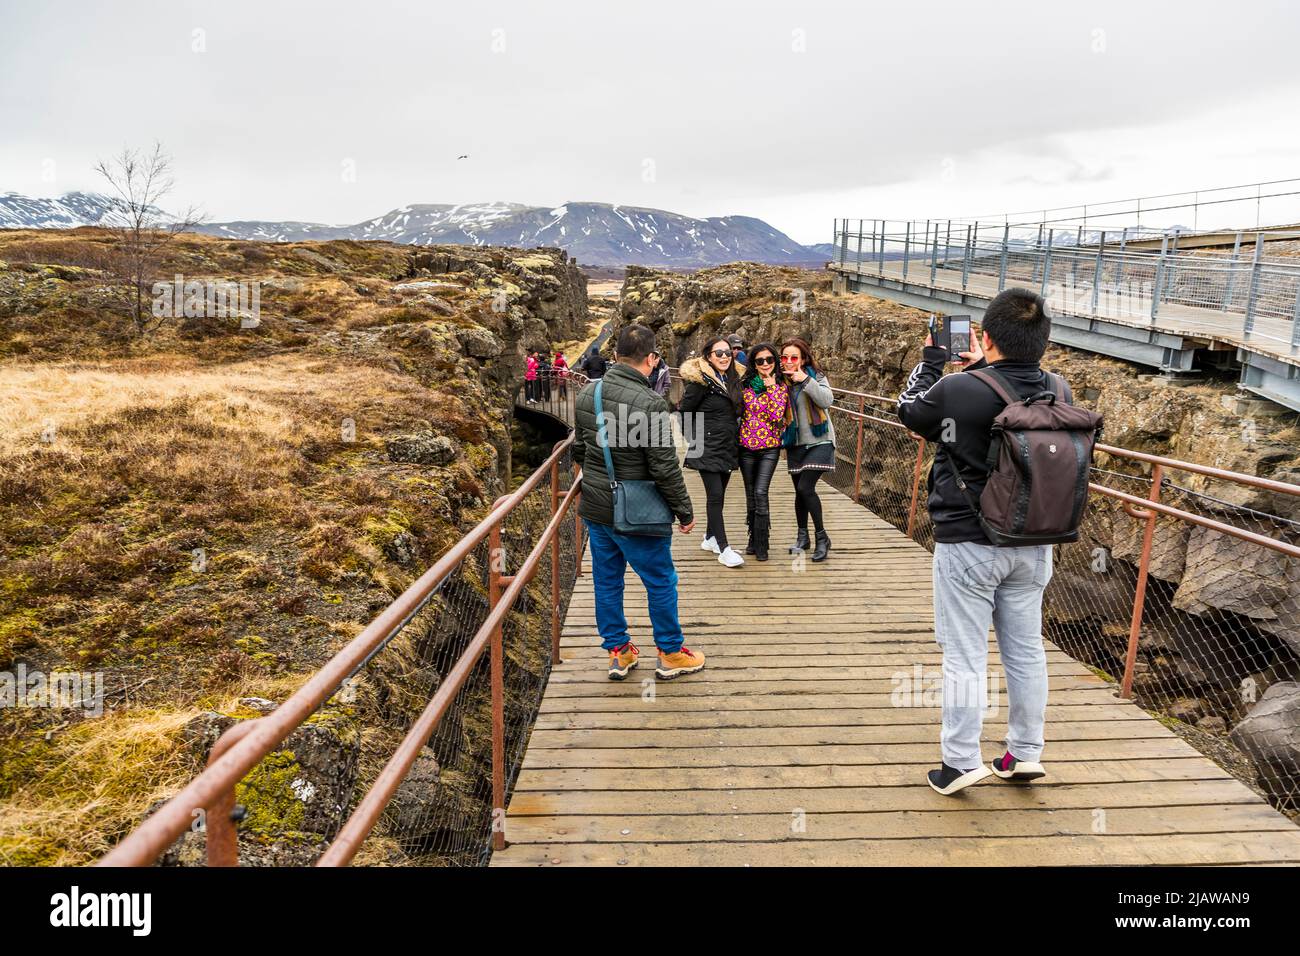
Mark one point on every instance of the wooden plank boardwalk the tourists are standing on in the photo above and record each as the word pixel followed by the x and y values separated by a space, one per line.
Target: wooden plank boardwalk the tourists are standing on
pixel 791 749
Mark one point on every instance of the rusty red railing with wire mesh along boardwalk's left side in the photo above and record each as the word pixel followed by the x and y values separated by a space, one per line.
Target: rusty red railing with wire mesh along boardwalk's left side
pixel 404 746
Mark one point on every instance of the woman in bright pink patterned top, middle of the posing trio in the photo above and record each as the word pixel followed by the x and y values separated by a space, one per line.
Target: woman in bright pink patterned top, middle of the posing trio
pixel 765 400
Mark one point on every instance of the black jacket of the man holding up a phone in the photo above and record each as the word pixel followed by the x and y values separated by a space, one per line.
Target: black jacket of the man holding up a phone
pixel 957 412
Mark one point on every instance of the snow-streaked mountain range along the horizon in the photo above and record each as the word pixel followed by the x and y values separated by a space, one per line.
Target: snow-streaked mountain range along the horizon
pixel 593 233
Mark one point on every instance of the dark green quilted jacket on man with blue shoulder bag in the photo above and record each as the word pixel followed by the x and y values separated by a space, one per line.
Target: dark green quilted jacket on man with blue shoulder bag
pixel 653 457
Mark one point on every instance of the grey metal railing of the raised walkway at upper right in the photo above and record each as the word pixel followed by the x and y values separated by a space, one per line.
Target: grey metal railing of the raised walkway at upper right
pixel 1089 272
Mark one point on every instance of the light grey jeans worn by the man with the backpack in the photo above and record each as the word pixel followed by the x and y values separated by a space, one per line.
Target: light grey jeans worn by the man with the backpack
pixel 978 586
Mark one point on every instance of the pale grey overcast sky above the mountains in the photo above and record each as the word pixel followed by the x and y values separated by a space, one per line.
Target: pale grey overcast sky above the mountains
pixel 794 113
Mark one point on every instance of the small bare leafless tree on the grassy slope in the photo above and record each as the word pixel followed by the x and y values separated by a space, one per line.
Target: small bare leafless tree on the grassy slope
pixel 141 181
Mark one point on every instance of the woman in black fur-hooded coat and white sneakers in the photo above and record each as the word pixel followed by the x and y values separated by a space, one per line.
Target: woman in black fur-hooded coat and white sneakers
pixel 713 395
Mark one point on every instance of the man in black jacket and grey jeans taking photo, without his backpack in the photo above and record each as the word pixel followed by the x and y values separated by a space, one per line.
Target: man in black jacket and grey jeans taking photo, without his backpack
pixel 977 583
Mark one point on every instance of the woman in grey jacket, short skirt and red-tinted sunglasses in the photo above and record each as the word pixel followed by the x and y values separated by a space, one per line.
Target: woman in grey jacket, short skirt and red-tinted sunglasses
pixel 809 440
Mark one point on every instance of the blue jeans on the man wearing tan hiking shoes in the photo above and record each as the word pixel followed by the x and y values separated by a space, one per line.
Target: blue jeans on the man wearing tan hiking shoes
pixel 652 560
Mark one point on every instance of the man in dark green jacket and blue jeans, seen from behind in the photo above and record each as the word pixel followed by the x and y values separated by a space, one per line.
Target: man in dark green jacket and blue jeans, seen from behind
pixel 638 423
